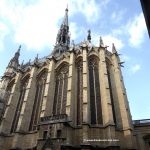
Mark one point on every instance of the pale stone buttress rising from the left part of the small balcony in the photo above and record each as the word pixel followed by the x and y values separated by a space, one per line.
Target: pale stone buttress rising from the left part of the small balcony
pixel 48 99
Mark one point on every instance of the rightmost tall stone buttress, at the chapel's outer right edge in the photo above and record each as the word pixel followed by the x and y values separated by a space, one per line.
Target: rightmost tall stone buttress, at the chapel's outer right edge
pixel 123 120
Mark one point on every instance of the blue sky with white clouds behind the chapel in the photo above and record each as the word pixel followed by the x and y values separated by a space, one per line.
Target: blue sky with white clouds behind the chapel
pixel 34 24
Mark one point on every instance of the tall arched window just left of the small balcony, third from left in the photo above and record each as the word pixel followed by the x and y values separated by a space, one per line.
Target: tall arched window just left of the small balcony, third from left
pixel 40 88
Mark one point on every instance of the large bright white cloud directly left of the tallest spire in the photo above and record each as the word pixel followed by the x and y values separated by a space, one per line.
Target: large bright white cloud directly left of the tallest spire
pixel 39 26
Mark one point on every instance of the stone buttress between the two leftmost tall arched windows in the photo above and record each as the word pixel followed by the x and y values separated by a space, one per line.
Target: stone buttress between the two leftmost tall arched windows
pixel 11 106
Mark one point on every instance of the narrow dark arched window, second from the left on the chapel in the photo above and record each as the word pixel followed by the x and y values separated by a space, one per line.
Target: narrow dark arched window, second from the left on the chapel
pixel 23 87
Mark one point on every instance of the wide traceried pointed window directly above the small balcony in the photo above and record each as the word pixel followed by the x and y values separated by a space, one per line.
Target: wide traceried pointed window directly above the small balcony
pixel 60 98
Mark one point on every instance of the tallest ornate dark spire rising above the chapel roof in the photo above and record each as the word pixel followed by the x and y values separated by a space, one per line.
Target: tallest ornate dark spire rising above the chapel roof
pixel 63 37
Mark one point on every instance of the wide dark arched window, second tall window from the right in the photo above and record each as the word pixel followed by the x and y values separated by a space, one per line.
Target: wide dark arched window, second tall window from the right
pixel 95 97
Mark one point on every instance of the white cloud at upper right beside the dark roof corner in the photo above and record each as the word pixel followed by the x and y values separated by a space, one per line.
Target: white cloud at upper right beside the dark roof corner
pixel 136 29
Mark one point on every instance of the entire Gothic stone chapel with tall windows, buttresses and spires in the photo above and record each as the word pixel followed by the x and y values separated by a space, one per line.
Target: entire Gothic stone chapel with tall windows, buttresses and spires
pixel 72 99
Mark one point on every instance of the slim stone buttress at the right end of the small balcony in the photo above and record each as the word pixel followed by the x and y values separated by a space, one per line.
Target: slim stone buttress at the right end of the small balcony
pixel 70 91
